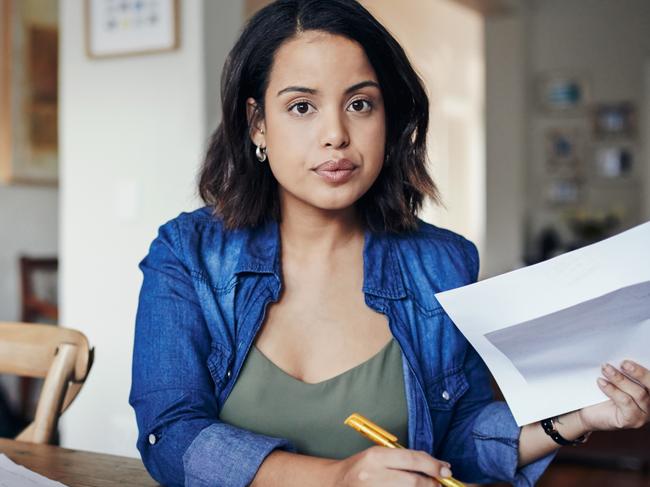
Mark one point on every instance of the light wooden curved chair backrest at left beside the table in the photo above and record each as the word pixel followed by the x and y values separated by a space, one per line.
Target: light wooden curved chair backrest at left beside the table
pixel 61 356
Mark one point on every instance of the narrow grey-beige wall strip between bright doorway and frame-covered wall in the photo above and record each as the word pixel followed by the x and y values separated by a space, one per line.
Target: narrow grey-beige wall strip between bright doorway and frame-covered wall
pixel 505 132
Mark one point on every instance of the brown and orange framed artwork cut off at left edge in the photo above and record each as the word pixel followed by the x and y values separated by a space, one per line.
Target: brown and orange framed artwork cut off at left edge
pixel 28 92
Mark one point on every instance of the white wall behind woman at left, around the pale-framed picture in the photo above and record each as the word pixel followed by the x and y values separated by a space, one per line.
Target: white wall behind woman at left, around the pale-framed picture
pixel 133 132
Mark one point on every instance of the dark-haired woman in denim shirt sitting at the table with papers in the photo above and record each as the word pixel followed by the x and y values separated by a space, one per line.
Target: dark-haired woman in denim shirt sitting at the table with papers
pixel 304 291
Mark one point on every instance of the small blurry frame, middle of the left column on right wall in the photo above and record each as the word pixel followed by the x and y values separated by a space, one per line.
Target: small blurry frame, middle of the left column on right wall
pixel 564 151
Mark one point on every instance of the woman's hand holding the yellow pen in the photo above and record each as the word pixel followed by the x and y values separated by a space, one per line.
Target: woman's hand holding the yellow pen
pixel 379 466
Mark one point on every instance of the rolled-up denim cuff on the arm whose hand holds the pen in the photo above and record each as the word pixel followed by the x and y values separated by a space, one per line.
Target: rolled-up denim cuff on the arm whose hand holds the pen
pixel 224 455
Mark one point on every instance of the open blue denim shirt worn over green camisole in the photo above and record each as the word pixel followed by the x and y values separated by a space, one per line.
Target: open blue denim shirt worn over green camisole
pixel 202 302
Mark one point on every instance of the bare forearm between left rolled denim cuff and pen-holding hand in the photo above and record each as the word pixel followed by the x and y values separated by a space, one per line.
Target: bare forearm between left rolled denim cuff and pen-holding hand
pixel 291 469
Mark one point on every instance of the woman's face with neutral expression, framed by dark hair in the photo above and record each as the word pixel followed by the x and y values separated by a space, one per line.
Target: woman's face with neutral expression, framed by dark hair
pixel 324 125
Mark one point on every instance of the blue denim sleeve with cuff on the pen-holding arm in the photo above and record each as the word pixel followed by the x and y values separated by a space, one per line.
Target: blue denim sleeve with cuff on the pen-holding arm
pixel 180 438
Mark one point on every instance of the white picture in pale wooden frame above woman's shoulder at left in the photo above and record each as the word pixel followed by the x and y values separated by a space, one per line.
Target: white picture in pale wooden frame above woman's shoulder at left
pixel 130 27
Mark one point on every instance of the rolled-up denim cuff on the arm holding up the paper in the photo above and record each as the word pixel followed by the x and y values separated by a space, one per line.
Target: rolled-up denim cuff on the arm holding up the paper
pixel 496 436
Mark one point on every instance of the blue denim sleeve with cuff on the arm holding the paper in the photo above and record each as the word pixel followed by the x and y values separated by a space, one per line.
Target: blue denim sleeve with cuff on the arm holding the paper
pixel 482 442
